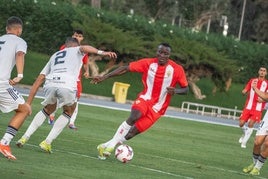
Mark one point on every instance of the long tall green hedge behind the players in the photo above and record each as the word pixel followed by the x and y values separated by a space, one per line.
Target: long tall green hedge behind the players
pixel 48 23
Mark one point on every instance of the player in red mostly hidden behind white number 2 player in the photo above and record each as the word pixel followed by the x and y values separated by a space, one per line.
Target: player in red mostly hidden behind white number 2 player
pixel 78 34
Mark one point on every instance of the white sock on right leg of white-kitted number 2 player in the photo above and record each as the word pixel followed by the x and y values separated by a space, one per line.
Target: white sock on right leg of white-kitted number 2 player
pixel 58 126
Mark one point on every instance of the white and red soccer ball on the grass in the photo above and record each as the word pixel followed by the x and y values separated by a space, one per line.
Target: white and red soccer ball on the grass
pixel 124 153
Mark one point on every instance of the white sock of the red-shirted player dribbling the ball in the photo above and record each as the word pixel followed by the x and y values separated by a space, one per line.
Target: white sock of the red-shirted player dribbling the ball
pixel 119 136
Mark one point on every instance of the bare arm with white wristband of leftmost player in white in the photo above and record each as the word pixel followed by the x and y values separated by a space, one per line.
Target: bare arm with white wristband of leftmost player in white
pixel 20 66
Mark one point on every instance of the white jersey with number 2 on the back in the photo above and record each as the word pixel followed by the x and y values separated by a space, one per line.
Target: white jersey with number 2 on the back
pixel 63 68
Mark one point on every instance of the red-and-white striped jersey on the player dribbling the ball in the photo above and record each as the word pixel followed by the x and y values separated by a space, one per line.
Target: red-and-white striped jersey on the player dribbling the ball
pixel 156 78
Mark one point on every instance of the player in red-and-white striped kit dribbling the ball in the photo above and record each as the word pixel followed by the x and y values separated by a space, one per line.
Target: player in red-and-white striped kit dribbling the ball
pixel 160 75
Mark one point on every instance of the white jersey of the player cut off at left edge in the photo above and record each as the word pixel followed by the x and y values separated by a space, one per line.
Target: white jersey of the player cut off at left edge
pixel 10 44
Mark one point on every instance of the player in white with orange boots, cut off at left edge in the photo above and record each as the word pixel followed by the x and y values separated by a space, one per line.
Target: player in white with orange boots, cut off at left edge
pixel 12 52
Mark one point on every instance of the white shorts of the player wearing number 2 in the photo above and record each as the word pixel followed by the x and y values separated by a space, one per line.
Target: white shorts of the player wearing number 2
pixel 61 96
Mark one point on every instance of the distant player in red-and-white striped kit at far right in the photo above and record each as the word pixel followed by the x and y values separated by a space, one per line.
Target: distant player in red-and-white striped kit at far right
pixel 254 105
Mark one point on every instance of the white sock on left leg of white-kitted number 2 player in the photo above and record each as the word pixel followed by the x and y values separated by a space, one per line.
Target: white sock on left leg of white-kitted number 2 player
pixel 37 121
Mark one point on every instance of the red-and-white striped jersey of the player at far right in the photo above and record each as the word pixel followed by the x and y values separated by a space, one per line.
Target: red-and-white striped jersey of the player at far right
pixel 252 98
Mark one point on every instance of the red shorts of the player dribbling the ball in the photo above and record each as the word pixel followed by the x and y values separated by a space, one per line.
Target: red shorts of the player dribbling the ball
pixel 149 116
